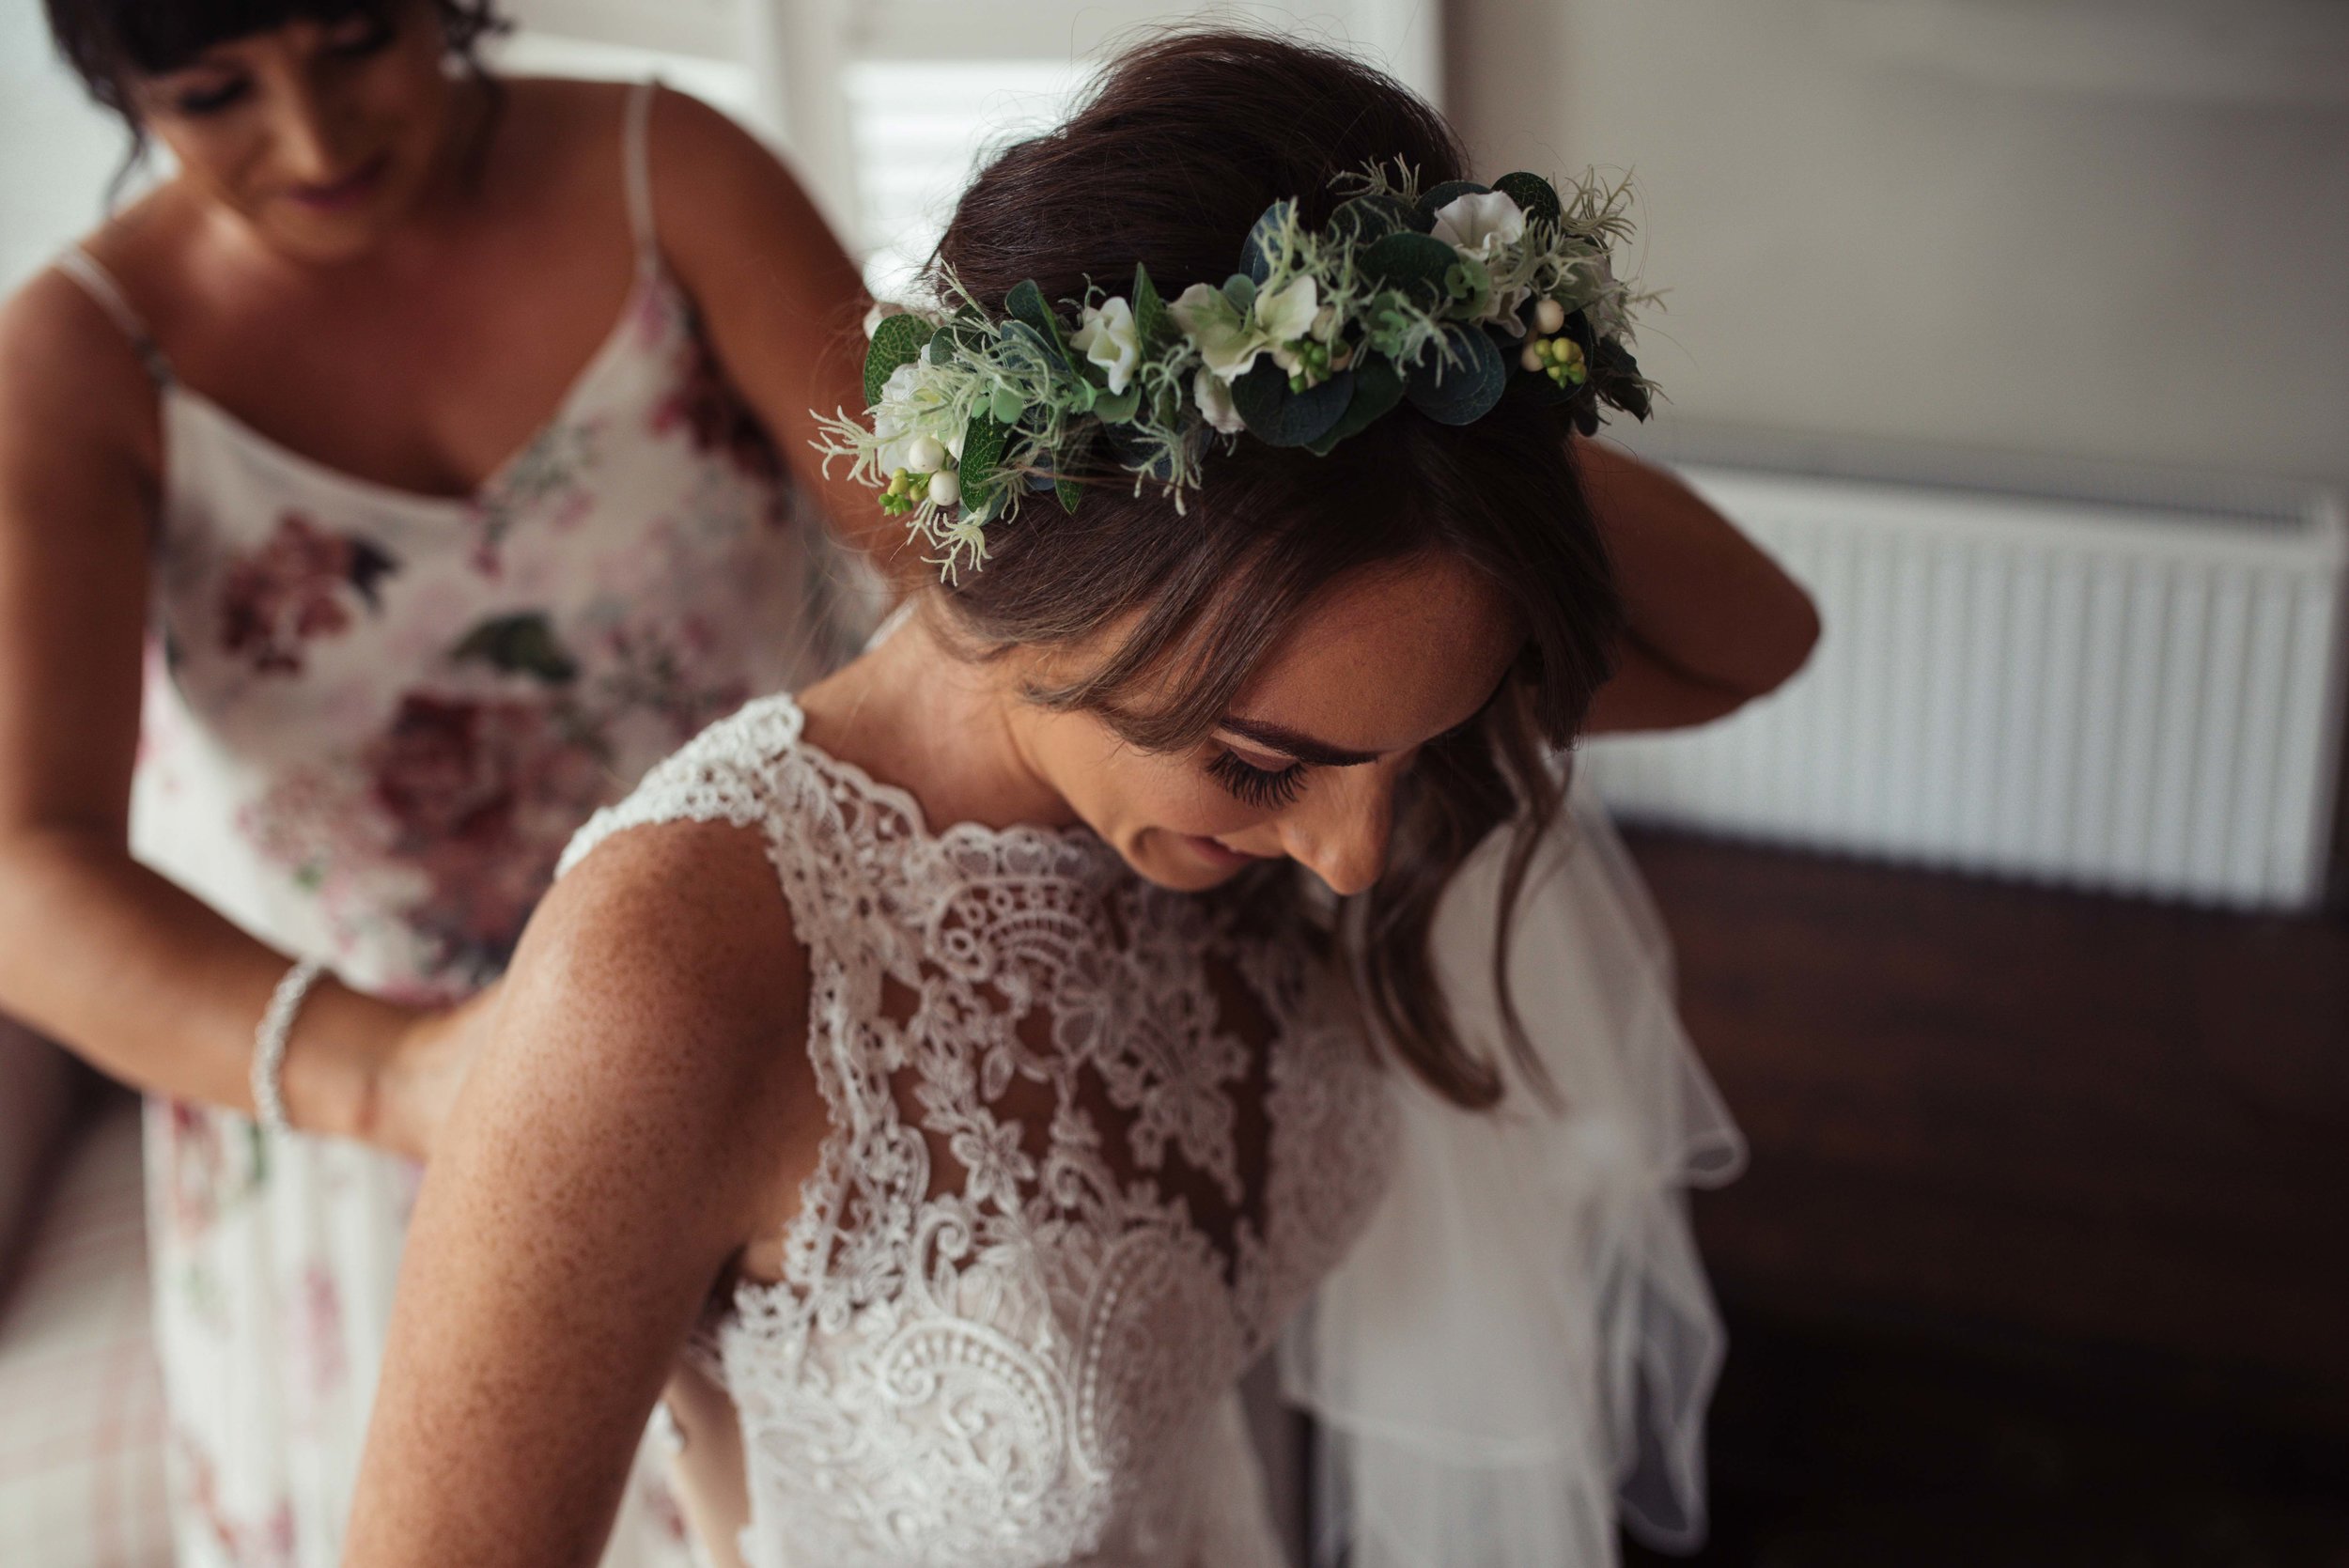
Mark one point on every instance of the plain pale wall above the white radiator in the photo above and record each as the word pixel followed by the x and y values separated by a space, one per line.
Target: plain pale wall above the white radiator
pixel 2104 229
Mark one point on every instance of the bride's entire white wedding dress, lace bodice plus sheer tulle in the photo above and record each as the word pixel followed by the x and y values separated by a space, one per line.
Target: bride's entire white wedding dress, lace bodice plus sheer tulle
pixel 1098 1144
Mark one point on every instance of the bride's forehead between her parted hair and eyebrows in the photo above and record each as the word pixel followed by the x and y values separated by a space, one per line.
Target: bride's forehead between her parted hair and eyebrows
pixel 1389 658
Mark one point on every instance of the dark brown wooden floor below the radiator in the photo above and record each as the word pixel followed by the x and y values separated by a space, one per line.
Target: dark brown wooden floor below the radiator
pixel 2042 1187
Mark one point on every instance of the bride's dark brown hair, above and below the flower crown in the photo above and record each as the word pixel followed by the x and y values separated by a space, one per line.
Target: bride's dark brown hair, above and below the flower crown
pixel 1169 163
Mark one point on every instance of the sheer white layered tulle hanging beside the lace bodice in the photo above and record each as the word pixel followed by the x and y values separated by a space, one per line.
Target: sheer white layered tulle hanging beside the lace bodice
pixel 1521 1349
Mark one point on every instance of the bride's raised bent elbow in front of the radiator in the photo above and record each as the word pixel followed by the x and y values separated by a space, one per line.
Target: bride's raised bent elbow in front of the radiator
pixel 1714 621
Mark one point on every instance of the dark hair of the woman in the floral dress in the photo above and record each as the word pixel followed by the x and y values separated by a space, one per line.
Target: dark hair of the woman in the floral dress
pixel 112 43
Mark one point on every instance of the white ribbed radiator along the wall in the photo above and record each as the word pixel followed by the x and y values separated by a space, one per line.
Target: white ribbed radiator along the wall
pixel 2132 696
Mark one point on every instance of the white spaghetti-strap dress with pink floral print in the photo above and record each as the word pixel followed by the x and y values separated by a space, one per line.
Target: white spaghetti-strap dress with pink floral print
pixel 372 722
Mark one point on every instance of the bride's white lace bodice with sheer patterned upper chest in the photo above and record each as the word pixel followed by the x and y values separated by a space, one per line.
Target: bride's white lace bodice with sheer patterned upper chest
pixel 1091 1147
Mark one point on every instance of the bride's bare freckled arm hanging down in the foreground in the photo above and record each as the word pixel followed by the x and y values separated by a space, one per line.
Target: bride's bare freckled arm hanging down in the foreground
pixel 605 1163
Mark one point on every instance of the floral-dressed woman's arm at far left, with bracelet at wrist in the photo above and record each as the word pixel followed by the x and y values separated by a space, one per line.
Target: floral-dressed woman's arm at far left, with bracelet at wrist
pixel 95 949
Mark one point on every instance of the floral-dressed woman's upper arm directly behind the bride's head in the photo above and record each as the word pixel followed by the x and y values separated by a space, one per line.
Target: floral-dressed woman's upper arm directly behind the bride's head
pixel 779 299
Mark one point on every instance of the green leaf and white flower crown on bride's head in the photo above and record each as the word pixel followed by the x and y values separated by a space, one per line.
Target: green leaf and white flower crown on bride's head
pixel 1404 297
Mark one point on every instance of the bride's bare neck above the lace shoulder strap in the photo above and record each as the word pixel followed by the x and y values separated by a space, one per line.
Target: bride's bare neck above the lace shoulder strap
pixel 943 729
